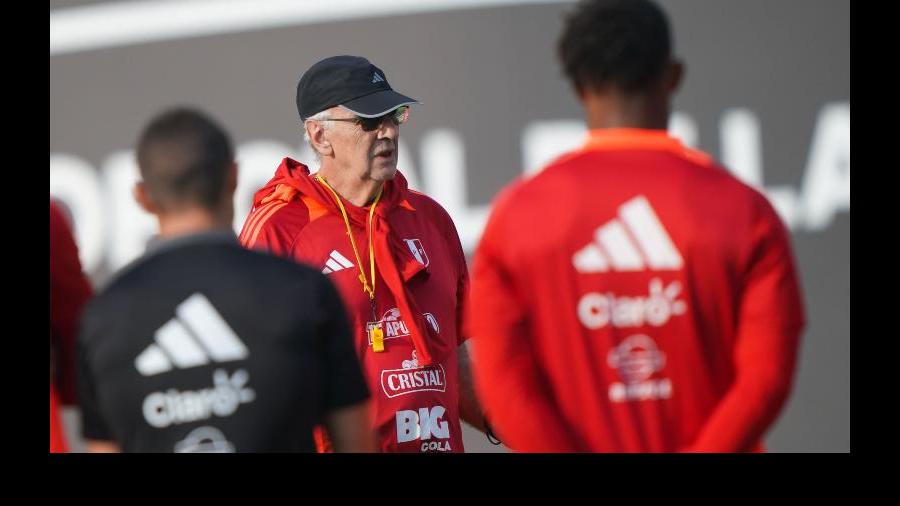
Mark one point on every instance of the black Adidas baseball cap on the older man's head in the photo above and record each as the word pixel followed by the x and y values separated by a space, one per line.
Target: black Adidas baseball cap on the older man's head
pixel 350 81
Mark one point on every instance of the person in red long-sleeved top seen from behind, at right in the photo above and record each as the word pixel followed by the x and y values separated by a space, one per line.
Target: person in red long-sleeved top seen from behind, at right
pixel 658 309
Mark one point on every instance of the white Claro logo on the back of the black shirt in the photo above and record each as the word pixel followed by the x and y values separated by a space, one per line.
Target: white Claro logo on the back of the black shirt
pixel 174 407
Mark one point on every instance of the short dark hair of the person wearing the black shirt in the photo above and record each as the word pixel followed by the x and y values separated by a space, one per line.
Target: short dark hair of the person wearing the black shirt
pixel 184 157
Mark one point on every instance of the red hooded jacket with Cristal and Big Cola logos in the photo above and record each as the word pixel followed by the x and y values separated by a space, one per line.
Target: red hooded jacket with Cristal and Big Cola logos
pixel 421 279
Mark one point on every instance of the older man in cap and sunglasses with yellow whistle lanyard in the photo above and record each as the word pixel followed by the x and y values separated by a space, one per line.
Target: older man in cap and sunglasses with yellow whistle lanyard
pixel 393 253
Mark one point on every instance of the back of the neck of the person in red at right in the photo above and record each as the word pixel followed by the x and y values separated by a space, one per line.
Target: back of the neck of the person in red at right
pixel 617 109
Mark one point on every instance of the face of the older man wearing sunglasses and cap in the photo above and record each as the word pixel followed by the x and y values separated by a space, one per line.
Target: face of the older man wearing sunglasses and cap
pixel 367 155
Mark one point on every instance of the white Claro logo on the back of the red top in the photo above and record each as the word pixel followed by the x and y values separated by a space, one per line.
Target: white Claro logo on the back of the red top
pixel 597 310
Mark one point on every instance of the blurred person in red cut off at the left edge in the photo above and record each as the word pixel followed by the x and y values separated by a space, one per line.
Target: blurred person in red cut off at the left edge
pixel 70 289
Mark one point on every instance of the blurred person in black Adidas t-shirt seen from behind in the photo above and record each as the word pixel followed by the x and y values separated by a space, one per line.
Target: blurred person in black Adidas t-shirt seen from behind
pixel 202 345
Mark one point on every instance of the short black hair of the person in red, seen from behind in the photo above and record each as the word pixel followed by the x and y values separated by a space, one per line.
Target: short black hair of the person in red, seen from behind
pixel 622 43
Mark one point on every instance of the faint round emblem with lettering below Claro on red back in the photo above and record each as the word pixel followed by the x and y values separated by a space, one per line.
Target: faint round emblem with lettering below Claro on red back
pixel 636 359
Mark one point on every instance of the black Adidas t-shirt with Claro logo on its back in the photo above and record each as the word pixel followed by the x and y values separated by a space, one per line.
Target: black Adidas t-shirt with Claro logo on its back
pixel 205 346
